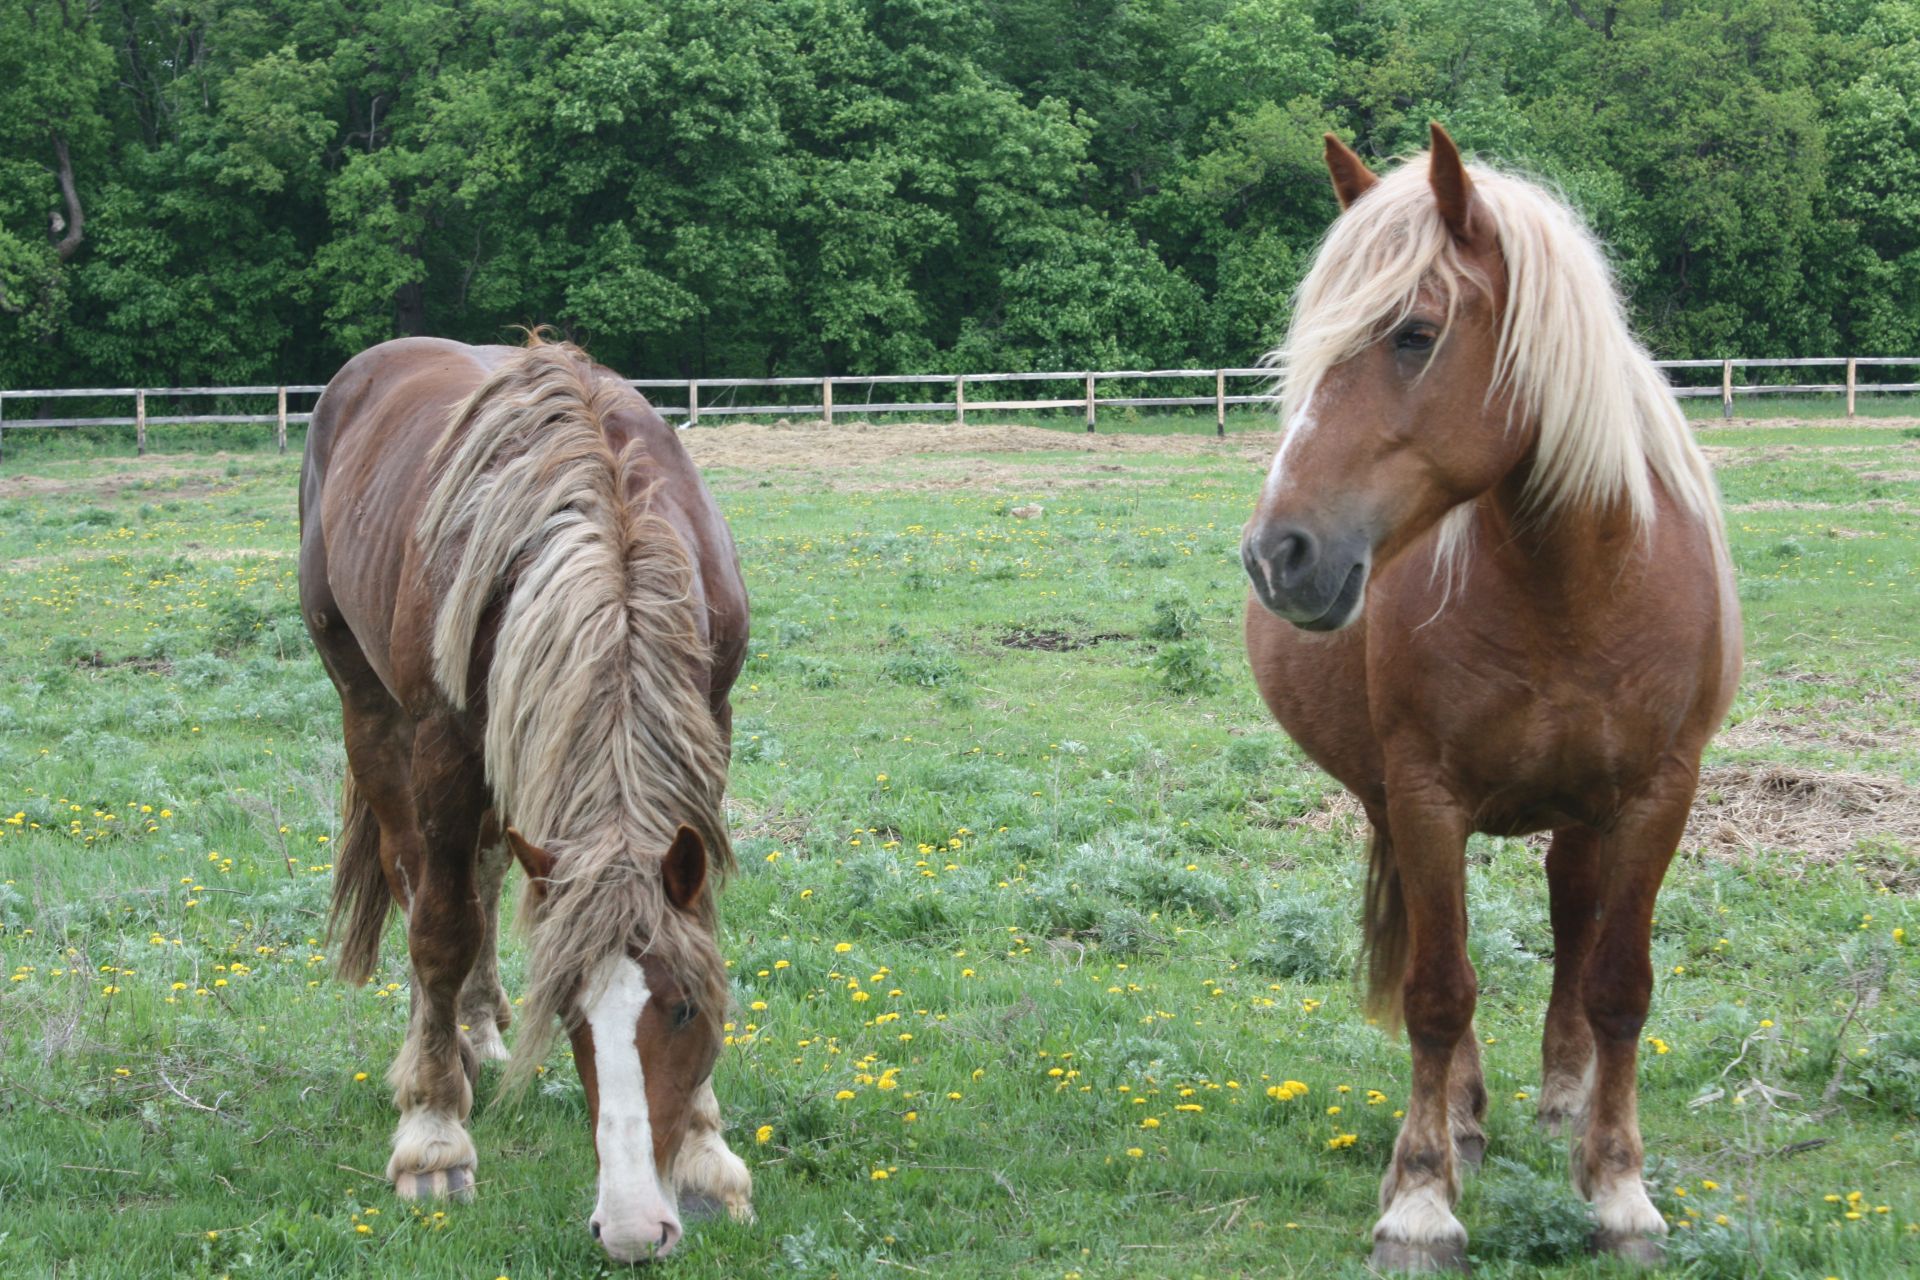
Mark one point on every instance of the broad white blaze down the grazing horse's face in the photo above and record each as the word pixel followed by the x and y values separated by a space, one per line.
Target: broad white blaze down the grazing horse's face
pixel 635 1216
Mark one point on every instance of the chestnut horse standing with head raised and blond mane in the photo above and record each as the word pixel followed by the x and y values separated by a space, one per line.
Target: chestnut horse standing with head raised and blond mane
pixel 1493 594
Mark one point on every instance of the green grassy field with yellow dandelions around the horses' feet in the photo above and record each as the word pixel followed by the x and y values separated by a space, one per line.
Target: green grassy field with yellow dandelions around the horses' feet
pixel 1042 924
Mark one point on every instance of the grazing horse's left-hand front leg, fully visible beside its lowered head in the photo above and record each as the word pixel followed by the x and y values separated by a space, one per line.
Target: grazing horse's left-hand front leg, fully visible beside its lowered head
pixel 435 1070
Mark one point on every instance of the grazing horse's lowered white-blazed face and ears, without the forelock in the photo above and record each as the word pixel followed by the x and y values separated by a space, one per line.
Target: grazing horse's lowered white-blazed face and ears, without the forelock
pixel 644 1041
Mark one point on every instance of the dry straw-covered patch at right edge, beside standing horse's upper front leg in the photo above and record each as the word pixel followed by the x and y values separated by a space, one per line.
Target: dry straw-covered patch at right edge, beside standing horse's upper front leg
pixel 1823 815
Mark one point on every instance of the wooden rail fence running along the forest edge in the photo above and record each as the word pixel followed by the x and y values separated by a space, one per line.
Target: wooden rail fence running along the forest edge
pixel 711 398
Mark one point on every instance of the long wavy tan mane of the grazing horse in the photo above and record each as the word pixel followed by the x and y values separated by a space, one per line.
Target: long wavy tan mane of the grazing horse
pixel 600 740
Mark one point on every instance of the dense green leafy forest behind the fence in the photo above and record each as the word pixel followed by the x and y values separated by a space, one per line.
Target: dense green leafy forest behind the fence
pixel 239 191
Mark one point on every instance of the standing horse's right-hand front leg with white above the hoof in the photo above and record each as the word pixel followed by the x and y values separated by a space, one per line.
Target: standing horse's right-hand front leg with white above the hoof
pixel 1618 987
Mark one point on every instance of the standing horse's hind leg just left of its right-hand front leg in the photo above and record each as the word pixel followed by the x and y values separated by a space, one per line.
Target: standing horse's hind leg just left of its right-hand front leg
pixel 1575 878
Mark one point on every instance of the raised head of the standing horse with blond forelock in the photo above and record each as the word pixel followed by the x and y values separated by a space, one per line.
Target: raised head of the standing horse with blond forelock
pixel 1393 389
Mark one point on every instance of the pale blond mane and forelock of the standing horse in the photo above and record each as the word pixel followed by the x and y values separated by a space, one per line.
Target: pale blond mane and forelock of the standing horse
pixel 1608 425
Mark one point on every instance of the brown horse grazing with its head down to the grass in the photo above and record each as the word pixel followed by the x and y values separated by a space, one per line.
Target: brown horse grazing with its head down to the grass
pixel 533 613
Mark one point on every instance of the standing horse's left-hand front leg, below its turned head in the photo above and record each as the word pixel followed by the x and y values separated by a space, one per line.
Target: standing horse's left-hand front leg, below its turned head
pixel 1418 1229
